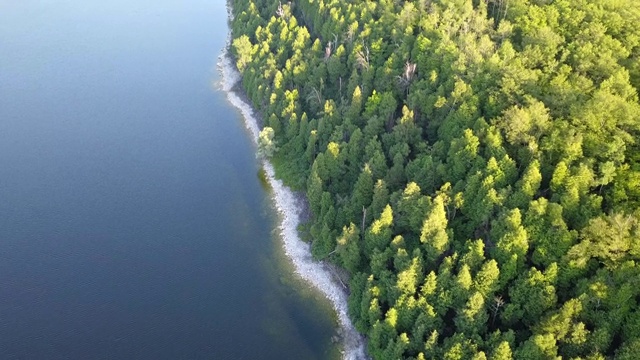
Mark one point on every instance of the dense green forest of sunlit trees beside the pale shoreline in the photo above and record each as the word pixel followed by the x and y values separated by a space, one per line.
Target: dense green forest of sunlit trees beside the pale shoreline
pixel 473 165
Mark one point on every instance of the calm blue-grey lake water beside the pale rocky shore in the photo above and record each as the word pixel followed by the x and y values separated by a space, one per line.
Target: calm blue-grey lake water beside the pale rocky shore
pixel 132 221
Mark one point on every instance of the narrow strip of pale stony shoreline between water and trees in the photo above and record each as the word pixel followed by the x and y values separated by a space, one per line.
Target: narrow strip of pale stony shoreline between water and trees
pixel 315 273
